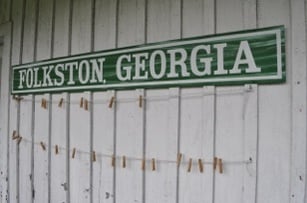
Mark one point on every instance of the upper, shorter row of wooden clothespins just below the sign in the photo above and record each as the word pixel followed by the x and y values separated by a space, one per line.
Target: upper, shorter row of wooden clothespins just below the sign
pixel 84 103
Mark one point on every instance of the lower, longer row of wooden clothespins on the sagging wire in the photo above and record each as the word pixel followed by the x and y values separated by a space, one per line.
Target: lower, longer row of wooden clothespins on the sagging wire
pixel 217 162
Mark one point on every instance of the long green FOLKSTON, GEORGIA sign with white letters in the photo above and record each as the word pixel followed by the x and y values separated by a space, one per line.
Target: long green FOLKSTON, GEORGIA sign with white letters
pixel 255 56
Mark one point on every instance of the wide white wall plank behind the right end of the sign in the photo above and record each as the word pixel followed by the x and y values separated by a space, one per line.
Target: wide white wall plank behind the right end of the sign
pixel 275 117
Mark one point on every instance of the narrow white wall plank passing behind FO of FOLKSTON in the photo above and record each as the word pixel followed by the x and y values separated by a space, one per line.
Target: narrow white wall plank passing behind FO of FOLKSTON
pixel 26 192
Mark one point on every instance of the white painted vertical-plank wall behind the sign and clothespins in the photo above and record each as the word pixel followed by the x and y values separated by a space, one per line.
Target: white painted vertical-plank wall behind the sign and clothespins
pixel 258 131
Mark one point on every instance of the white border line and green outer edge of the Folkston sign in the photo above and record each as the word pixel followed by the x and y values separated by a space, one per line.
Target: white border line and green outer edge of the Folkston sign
pixel 279 77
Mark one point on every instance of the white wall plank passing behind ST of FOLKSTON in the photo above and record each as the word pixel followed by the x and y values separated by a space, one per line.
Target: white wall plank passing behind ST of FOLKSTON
pixel 58 169
